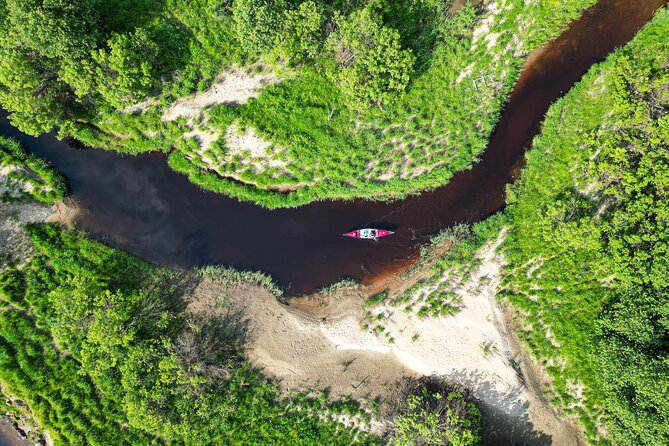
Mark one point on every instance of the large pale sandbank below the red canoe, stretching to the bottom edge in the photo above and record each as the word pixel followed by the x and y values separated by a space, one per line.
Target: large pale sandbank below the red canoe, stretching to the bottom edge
pixel 318 341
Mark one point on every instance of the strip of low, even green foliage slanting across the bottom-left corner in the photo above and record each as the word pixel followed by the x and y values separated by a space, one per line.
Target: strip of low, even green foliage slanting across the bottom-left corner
pixel 66 403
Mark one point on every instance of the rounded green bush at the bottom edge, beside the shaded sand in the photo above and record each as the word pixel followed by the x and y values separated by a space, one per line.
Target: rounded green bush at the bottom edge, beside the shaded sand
pixel 428 412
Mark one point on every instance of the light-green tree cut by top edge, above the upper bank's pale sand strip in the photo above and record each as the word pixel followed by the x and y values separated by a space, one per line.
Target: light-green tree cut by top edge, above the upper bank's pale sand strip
pixel 257 23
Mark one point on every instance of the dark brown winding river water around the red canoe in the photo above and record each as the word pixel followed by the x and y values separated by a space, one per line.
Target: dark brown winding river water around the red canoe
pixel 140 205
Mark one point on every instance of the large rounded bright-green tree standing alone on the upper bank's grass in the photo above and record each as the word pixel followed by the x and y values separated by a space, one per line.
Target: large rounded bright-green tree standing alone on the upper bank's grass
pixel 371 65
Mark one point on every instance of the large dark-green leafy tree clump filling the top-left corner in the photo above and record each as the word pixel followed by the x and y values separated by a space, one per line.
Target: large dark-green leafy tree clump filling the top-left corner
pixel 37 36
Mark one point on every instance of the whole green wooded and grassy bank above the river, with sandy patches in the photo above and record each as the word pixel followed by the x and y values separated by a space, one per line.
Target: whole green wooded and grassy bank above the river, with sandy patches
pixel 348 110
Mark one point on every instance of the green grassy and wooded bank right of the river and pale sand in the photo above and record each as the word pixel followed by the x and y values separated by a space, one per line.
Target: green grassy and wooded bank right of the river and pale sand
pixel 588 242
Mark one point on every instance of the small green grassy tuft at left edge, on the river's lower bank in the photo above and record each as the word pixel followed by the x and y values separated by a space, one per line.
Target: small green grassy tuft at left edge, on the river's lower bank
pixel 24 175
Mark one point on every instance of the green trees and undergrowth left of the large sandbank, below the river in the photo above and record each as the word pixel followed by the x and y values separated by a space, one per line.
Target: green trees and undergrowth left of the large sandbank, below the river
pixel 98 346
